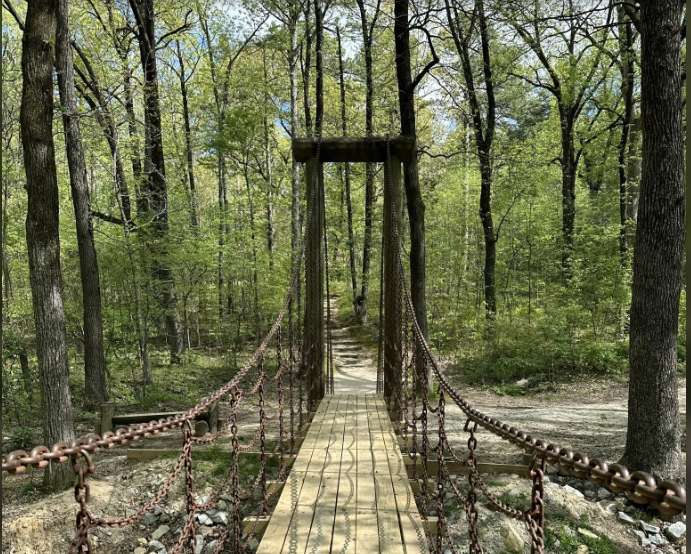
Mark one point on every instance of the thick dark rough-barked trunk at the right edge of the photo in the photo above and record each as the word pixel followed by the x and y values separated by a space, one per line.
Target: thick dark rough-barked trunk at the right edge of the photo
pixel 653 435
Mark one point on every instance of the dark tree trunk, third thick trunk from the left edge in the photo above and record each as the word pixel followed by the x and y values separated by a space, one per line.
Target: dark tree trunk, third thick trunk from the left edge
pixel 155 187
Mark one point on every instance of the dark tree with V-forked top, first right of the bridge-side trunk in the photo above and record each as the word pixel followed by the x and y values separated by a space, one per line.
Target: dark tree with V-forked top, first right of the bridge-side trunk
pixel 483 125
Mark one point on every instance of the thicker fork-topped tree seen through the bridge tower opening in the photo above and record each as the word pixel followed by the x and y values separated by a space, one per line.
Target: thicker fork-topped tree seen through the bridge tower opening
pixel 367 28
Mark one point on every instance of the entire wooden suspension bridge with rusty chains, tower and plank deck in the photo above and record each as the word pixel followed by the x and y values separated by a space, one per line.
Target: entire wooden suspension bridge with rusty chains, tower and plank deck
pixel 364 465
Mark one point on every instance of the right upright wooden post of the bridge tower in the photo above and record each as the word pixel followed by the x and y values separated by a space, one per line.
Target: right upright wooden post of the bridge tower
pixel 392 289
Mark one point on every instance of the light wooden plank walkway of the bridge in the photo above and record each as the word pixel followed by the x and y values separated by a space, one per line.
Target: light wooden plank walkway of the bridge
pixel 348 491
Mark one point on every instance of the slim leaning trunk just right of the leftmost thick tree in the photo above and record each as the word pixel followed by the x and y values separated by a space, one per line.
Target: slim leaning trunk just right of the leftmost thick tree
pixel 96 386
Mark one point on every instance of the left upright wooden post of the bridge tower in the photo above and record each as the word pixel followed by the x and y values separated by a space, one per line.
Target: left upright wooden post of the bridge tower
pixel 313 336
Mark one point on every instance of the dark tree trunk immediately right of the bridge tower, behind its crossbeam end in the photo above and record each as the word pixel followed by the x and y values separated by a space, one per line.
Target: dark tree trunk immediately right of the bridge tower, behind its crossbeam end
pixel 416 206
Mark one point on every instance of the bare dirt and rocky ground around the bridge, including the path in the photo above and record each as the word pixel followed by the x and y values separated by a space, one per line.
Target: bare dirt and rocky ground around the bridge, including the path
pixel 585 415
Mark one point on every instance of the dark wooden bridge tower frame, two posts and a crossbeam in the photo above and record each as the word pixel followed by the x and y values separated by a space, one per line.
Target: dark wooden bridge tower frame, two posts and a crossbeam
pixel 397 150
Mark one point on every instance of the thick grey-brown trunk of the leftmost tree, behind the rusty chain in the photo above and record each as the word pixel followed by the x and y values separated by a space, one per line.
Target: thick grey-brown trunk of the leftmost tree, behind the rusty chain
pixel 43 234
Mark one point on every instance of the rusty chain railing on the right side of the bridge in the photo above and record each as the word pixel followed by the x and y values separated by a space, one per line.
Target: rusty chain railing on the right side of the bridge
pixel 640 487
